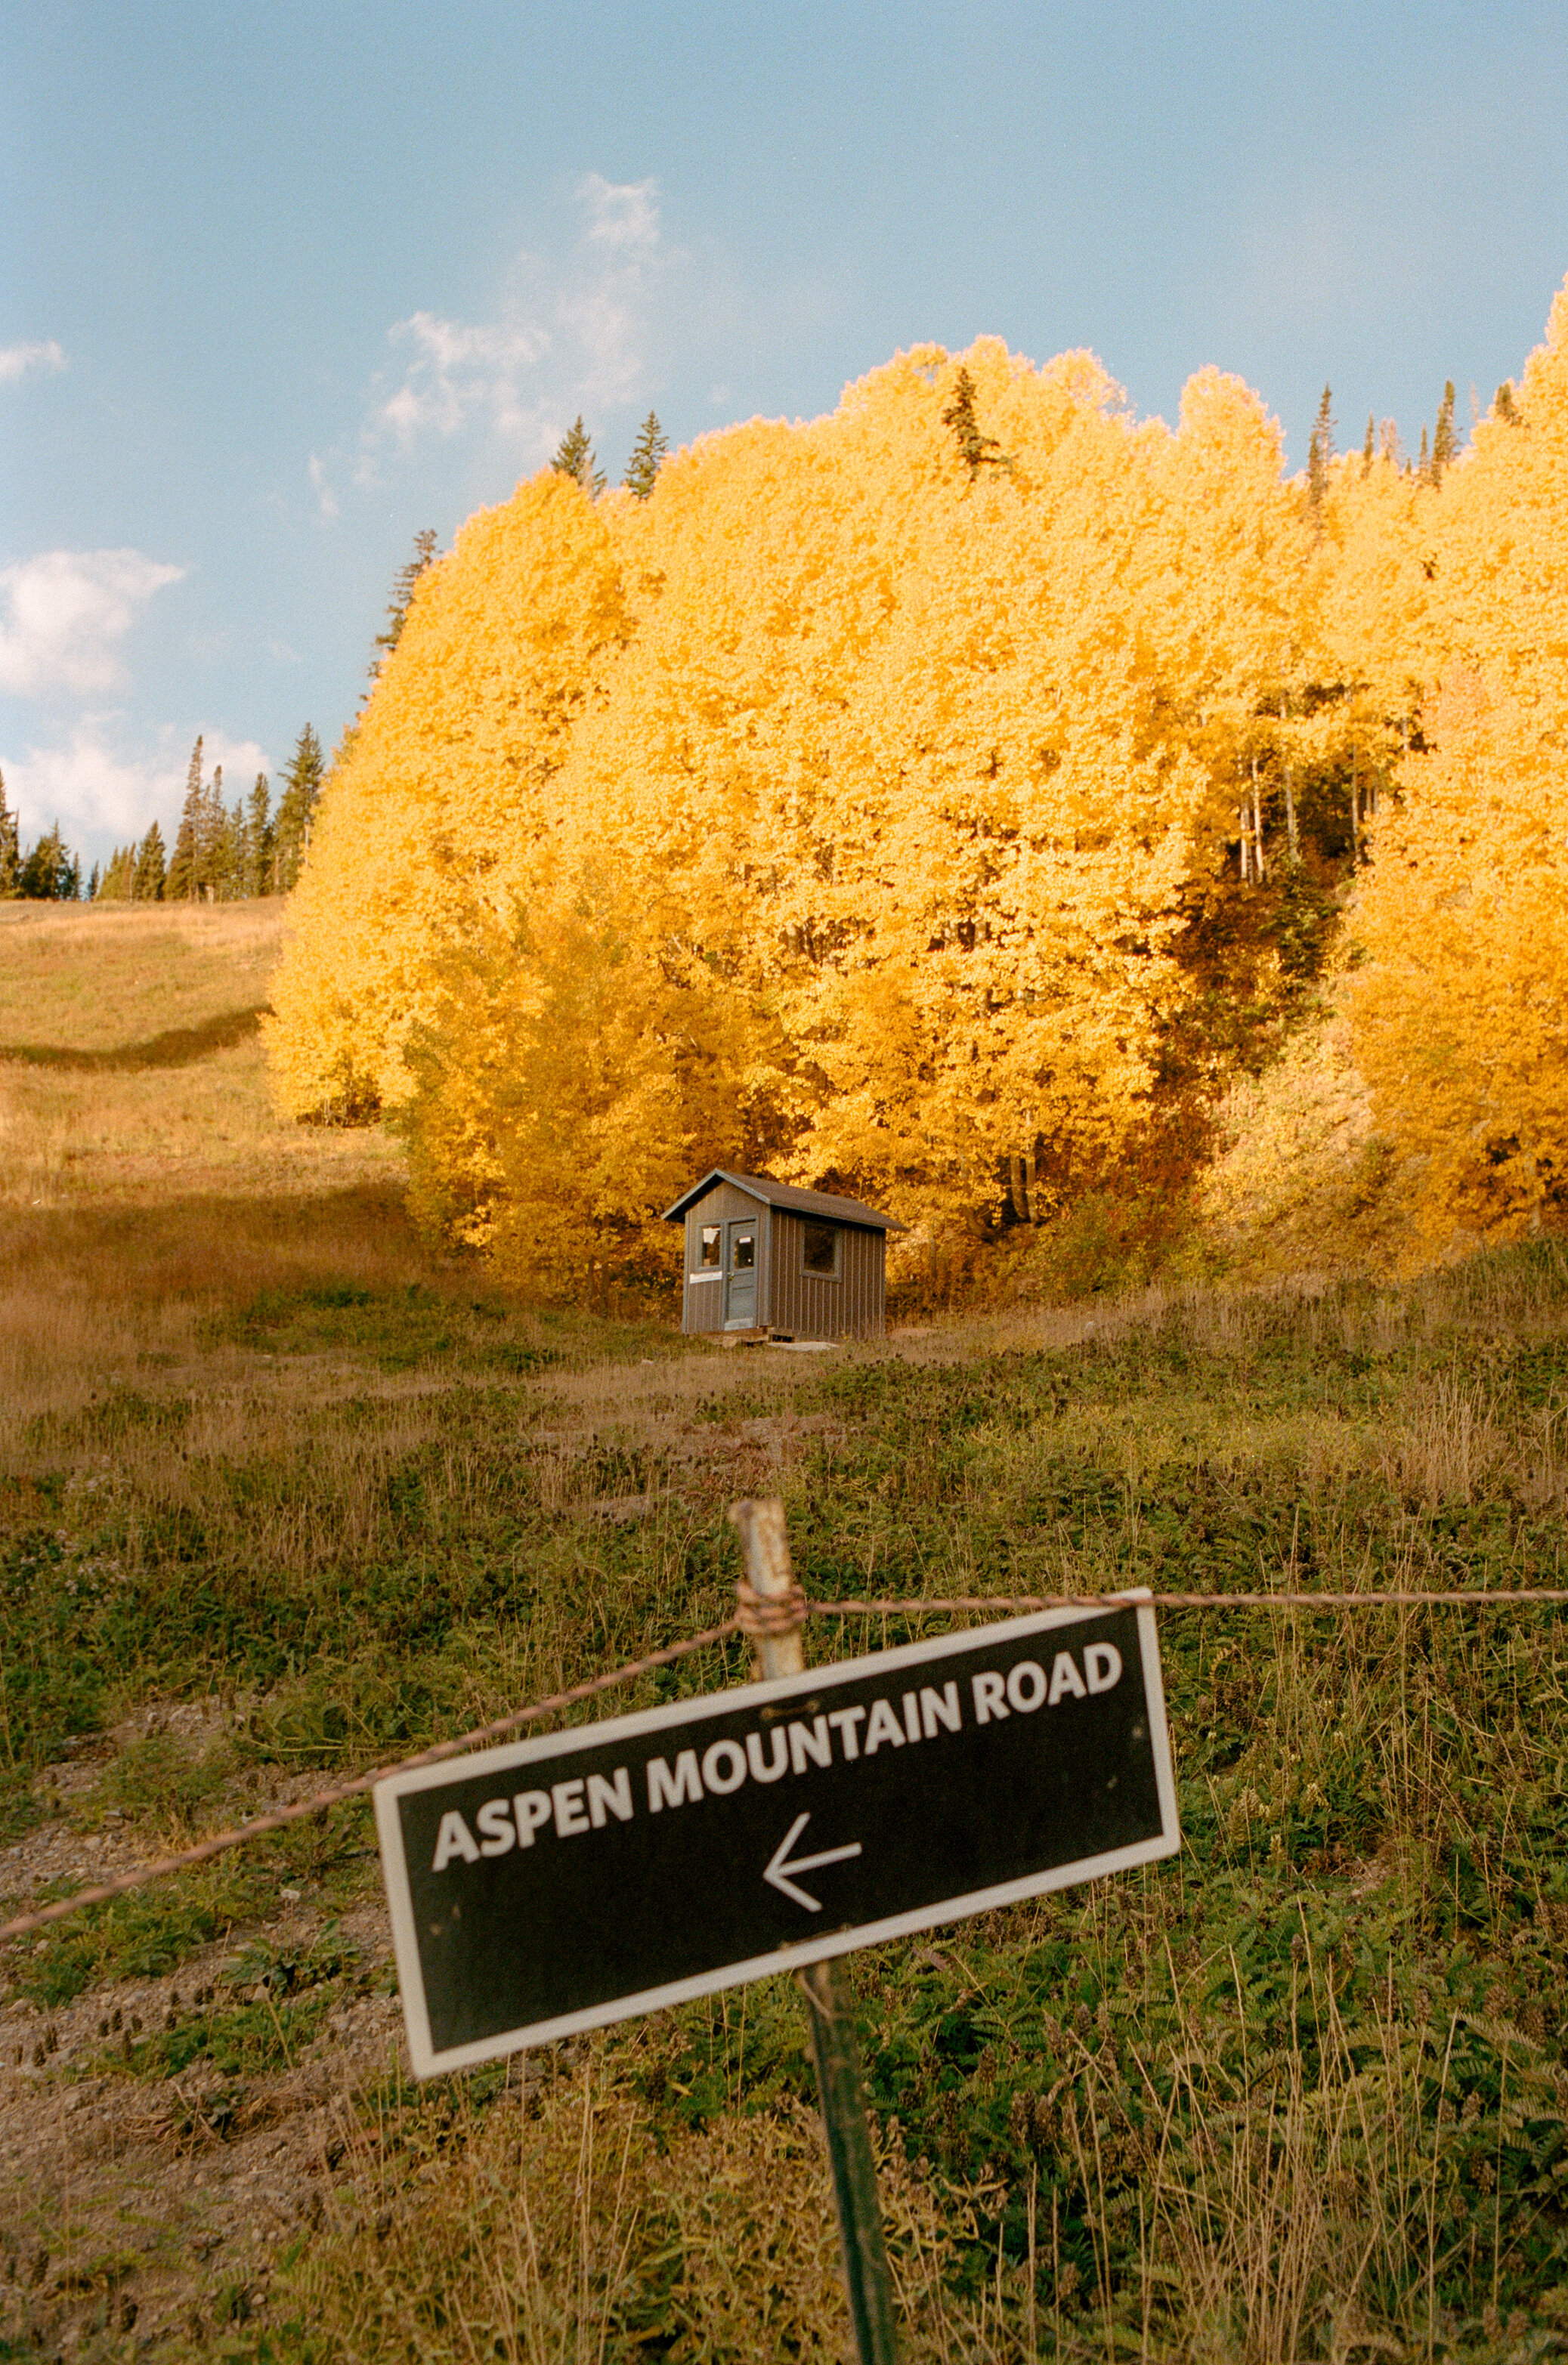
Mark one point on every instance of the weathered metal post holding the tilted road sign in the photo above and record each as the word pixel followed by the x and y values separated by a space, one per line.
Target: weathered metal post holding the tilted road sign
pixel 838 2073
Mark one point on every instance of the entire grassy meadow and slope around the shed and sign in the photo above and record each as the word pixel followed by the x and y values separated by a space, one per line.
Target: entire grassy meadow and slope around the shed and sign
pixel 285 1493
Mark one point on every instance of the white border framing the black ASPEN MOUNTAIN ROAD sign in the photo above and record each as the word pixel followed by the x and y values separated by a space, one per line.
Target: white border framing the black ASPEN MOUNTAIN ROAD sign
pixel 715 1704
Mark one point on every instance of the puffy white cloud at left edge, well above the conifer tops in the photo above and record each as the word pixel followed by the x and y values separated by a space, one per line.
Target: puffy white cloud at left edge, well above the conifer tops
pixel 63 614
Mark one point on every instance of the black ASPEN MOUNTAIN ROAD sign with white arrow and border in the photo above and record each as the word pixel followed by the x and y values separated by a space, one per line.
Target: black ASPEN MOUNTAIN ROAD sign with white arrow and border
pixel 552 1886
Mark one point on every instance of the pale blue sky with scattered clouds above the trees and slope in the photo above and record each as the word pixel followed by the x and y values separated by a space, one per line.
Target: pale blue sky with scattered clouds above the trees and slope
pixel 287 285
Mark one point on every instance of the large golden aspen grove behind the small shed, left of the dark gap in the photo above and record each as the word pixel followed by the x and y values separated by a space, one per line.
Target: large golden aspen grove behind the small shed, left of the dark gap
pixel 838 808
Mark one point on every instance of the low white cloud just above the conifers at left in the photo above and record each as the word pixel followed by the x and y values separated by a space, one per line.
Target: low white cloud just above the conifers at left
pixel 98 793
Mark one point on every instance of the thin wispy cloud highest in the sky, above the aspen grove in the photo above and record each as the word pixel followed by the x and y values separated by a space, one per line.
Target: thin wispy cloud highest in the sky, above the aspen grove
pixel 571 337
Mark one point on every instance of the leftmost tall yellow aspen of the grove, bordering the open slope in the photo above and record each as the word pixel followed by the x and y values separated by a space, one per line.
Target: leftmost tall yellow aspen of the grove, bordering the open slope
pixel 439 805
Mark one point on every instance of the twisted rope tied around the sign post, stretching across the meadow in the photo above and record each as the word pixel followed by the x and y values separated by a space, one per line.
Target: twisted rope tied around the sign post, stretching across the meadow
pixel 753 1616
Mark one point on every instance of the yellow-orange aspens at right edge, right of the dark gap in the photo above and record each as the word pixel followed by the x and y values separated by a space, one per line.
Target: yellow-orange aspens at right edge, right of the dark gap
pixel 1460 1011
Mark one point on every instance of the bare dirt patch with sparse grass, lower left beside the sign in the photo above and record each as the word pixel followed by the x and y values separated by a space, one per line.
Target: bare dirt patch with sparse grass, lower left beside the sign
pixel 162 2139
